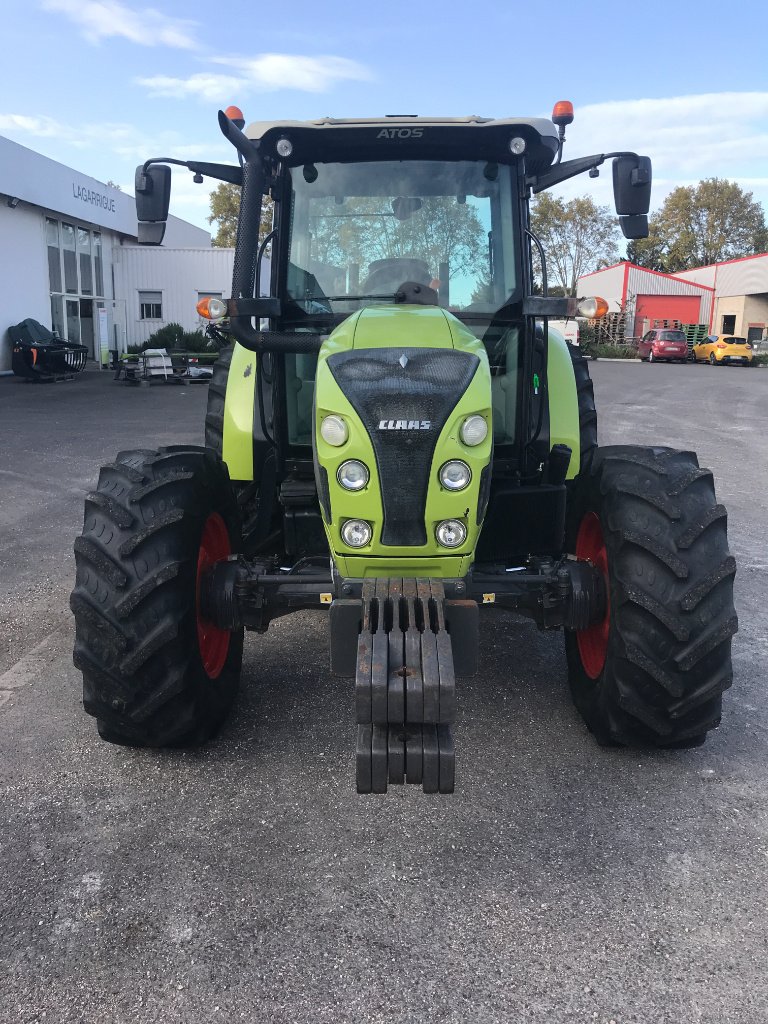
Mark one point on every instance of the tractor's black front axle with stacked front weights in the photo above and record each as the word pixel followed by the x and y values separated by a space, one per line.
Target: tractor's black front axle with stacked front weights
pixel 404 641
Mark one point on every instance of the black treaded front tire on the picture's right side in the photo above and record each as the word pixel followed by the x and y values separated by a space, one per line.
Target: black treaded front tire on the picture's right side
pixel 667 659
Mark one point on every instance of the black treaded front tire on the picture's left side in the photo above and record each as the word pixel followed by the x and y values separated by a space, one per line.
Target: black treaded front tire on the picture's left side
pixel 135 601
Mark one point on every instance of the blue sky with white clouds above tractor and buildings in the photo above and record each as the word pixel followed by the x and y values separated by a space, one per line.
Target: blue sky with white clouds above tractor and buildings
pixel 102 86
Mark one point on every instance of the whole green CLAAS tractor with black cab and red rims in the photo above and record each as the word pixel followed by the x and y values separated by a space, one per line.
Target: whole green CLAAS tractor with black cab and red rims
pixel 397 437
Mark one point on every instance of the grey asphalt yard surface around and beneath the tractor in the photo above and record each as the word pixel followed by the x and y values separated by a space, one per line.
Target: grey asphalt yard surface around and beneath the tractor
pixel 248 882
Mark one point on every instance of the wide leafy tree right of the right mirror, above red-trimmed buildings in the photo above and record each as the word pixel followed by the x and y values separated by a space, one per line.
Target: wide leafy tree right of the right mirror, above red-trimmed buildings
pixel 710 223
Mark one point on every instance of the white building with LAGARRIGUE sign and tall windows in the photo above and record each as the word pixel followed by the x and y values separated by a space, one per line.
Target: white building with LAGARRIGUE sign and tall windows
pixel 69 260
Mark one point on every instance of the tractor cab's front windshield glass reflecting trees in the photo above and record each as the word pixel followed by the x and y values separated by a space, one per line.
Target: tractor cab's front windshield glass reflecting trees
pixel 359 232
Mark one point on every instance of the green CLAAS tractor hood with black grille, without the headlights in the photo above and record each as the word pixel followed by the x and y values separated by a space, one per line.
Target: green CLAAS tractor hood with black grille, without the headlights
pixel 404 380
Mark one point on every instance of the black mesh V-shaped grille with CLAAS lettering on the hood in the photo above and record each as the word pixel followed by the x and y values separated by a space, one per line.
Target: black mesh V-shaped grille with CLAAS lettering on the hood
pixel 404 398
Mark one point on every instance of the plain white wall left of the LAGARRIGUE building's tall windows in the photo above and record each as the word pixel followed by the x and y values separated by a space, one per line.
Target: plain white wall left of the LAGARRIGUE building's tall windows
pixel 24 272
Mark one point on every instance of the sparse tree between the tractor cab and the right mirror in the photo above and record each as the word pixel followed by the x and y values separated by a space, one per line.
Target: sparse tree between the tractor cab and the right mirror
pixel 578 238
